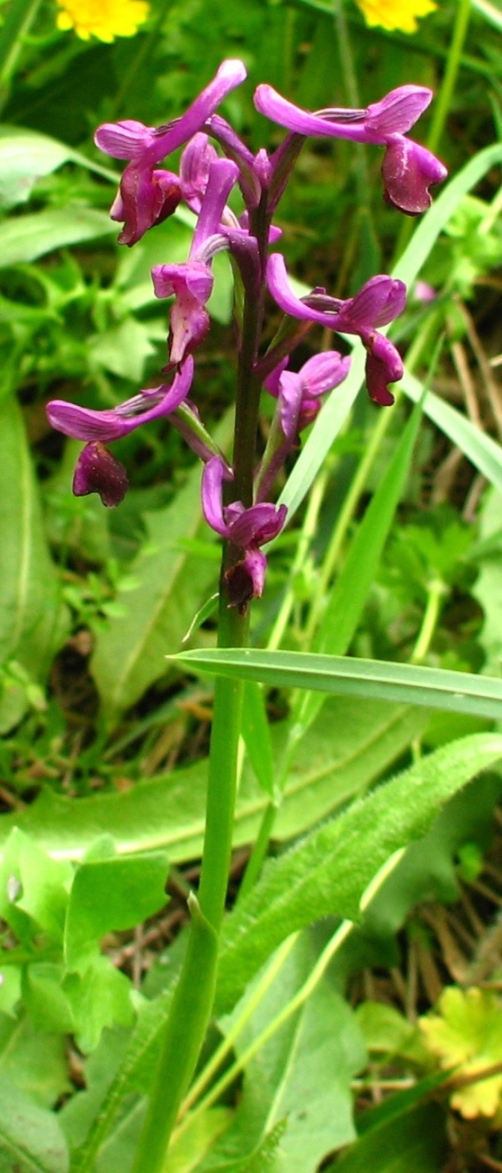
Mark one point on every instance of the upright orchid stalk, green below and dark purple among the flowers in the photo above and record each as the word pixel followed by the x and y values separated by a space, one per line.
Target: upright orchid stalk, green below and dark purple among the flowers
pixel 192 1007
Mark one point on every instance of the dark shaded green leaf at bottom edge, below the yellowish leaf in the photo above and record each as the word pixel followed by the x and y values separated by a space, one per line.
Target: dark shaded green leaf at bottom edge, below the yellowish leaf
pixel 415 1141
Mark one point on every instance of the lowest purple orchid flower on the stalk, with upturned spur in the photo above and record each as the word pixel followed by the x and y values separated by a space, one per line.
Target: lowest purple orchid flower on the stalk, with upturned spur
pixel 246 528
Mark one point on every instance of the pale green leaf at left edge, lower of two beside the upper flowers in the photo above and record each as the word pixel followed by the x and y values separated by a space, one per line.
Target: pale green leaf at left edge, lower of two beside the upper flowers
pixel 37 234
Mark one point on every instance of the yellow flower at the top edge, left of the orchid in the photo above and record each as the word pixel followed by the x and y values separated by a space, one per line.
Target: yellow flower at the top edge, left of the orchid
pixel 105 19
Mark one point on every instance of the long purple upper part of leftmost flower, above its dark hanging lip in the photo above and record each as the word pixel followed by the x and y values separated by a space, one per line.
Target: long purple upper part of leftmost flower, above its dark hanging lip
pixel 84 424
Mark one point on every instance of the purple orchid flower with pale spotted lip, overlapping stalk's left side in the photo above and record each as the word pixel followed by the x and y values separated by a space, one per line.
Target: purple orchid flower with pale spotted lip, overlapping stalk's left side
pixel 192 282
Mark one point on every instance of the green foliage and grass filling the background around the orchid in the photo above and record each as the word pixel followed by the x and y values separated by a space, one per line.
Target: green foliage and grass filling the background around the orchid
pixel 405 594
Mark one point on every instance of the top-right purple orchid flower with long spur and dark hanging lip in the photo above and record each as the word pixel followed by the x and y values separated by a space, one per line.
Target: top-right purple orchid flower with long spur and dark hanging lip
pixel 409 171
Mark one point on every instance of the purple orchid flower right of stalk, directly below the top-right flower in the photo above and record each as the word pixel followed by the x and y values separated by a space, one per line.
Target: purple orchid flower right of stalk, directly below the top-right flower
pixel 378 303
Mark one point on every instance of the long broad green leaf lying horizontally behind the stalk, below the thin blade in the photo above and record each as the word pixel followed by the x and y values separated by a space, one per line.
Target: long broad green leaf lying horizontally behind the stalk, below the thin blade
pixel 169 812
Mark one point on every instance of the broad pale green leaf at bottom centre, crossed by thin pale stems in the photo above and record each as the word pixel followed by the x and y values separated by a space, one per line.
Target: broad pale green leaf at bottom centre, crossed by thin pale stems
pixel 320 1048
